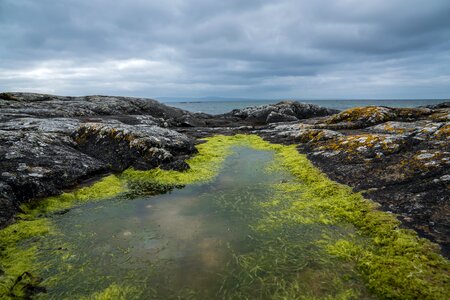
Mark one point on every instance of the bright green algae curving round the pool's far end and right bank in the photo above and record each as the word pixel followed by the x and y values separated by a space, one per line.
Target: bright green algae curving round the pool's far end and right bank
pixel 395 262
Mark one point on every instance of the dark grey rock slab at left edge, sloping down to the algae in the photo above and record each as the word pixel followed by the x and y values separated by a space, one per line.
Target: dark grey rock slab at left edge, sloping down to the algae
pixel 37 164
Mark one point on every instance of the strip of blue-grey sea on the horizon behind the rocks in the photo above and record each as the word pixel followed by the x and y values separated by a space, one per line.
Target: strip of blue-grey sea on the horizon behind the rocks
pixel 219 107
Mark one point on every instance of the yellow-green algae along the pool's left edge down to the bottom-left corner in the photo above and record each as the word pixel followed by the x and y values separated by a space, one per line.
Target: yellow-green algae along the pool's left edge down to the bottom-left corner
pixel 18 258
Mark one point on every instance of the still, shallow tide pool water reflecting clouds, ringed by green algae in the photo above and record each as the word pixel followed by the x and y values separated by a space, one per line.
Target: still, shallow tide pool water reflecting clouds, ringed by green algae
pixel 200 241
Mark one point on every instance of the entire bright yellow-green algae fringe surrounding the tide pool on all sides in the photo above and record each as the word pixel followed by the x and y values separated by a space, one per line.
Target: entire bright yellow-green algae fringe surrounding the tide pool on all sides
pixel 393 262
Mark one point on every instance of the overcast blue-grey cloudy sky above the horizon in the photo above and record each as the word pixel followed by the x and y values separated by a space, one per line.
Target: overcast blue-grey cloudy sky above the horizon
pixel 302 49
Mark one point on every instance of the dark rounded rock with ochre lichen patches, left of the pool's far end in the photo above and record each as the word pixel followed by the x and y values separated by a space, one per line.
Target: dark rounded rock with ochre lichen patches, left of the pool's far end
pixel 141 147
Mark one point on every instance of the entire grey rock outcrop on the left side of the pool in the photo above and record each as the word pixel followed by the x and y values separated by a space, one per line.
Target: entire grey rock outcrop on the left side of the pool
pixel 49 143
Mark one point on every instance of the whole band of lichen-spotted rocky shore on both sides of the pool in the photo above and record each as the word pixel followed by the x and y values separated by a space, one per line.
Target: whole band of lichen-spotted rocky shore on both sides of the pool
pixel 398 157
